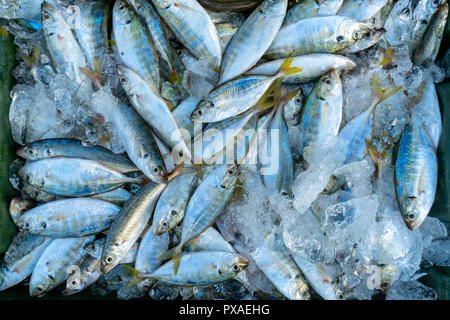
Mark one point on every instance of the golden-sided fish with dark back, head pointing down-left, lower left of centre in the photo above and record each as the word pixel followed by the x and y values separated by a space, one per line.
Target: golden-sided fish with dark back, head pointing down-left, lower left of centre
pixel 129 224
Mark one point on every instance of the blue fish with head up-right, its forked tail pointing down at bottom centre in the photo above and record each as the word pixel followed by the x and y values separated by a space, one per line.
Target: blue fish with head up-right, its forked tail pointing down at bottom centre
pixel 205 206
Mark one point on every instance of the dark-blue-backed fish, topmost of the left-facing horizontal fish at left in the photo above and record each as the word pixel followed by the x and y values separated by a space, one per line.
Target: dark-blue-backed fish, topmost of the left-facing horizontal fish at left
pixel 72 148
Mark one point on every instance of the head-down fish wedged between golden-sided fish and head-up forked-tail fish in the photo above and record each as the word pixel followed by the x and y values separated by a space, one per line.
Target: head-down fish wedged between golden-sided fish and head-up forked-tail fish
pixel 173 202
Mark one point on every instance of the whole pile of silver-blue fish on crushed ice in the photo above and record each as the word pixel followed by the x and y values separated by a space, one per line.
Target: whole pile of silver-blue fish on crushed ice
pixel 219 149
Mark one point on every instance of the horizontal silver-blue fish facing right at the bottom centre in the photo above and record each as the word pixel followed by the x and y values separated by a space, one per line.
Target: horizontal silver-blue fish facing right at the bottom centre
pixel 201 268
